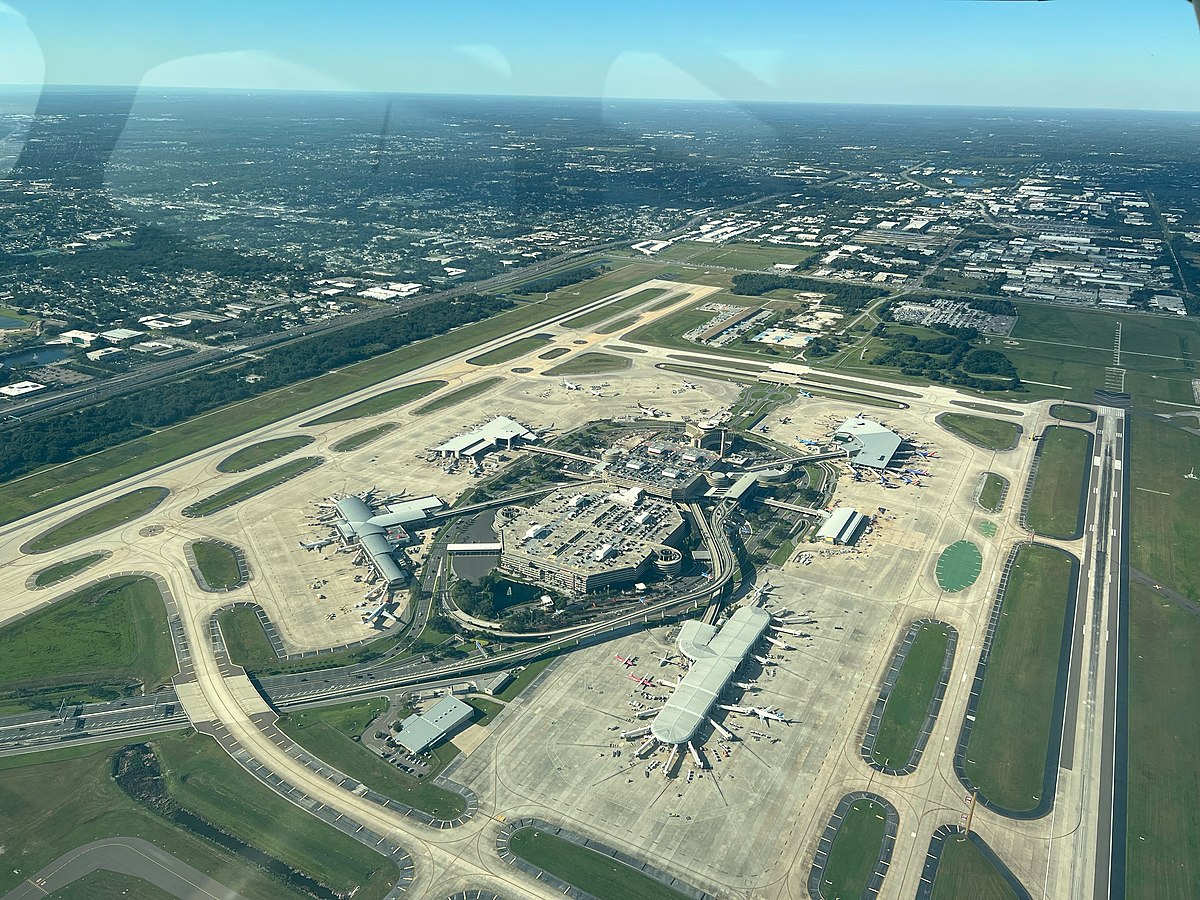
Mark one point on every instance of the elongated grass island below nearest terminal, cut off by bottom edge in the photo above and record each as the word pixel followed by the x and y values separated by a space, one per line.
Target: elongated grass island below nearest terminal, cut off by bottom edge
pixel 598 875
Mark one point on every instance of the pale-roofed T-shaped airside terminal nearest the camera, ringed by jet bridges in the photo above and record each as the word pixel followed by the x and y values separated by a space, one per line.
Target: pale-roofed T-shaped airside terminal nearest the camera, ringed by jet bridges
pixel 716 657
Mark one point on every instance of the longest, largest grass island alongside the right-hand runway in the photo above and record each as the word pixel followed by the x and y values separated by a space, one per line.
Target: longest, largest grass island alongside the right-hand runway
pixel 1009 747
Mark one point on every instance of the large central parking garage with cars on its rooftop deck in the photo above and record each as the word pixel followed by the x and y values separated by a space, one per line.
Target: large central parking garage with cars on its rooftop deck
pixel 589 541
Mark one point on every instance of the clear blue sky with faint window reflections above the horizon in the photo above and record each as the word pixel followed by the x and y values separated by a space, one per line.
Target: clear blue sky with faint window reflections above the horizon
pixel 1121 55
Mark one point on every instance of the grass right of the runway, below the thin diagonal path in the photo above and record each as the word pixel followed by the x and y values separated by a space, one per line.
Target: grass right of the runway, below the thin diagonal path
pixel 1165 731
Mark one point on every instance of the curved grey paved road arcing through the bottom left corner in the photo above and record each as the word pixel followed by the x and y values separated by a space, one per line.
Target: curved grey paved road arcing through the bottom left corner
pixel 129 856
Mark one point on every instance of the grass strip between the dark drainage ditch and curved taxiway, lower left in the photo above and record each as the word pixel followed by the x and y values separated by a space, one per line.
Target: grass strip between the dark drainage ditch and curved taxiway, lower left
pixel 203 779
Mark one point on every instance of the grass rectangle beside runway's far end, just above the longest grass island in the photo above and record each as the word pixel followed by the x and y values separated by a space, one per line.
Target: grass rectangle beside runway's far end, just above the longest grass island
pixel 1057 503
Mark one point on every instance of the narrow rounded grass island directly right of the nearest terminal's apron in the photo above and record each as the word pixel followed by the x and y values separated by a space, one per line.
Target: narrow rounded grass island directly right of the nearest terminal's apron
pixel 904 717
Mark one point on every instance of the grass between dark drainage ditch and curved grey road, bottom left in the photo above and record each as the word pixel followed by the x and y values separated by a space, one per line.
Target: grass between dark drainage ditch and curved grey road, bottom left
pixel 59 800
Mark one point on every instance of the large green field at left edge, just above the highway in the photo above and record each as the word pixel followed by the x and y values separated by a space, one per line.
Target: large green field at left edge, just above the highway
pixel 100 644
